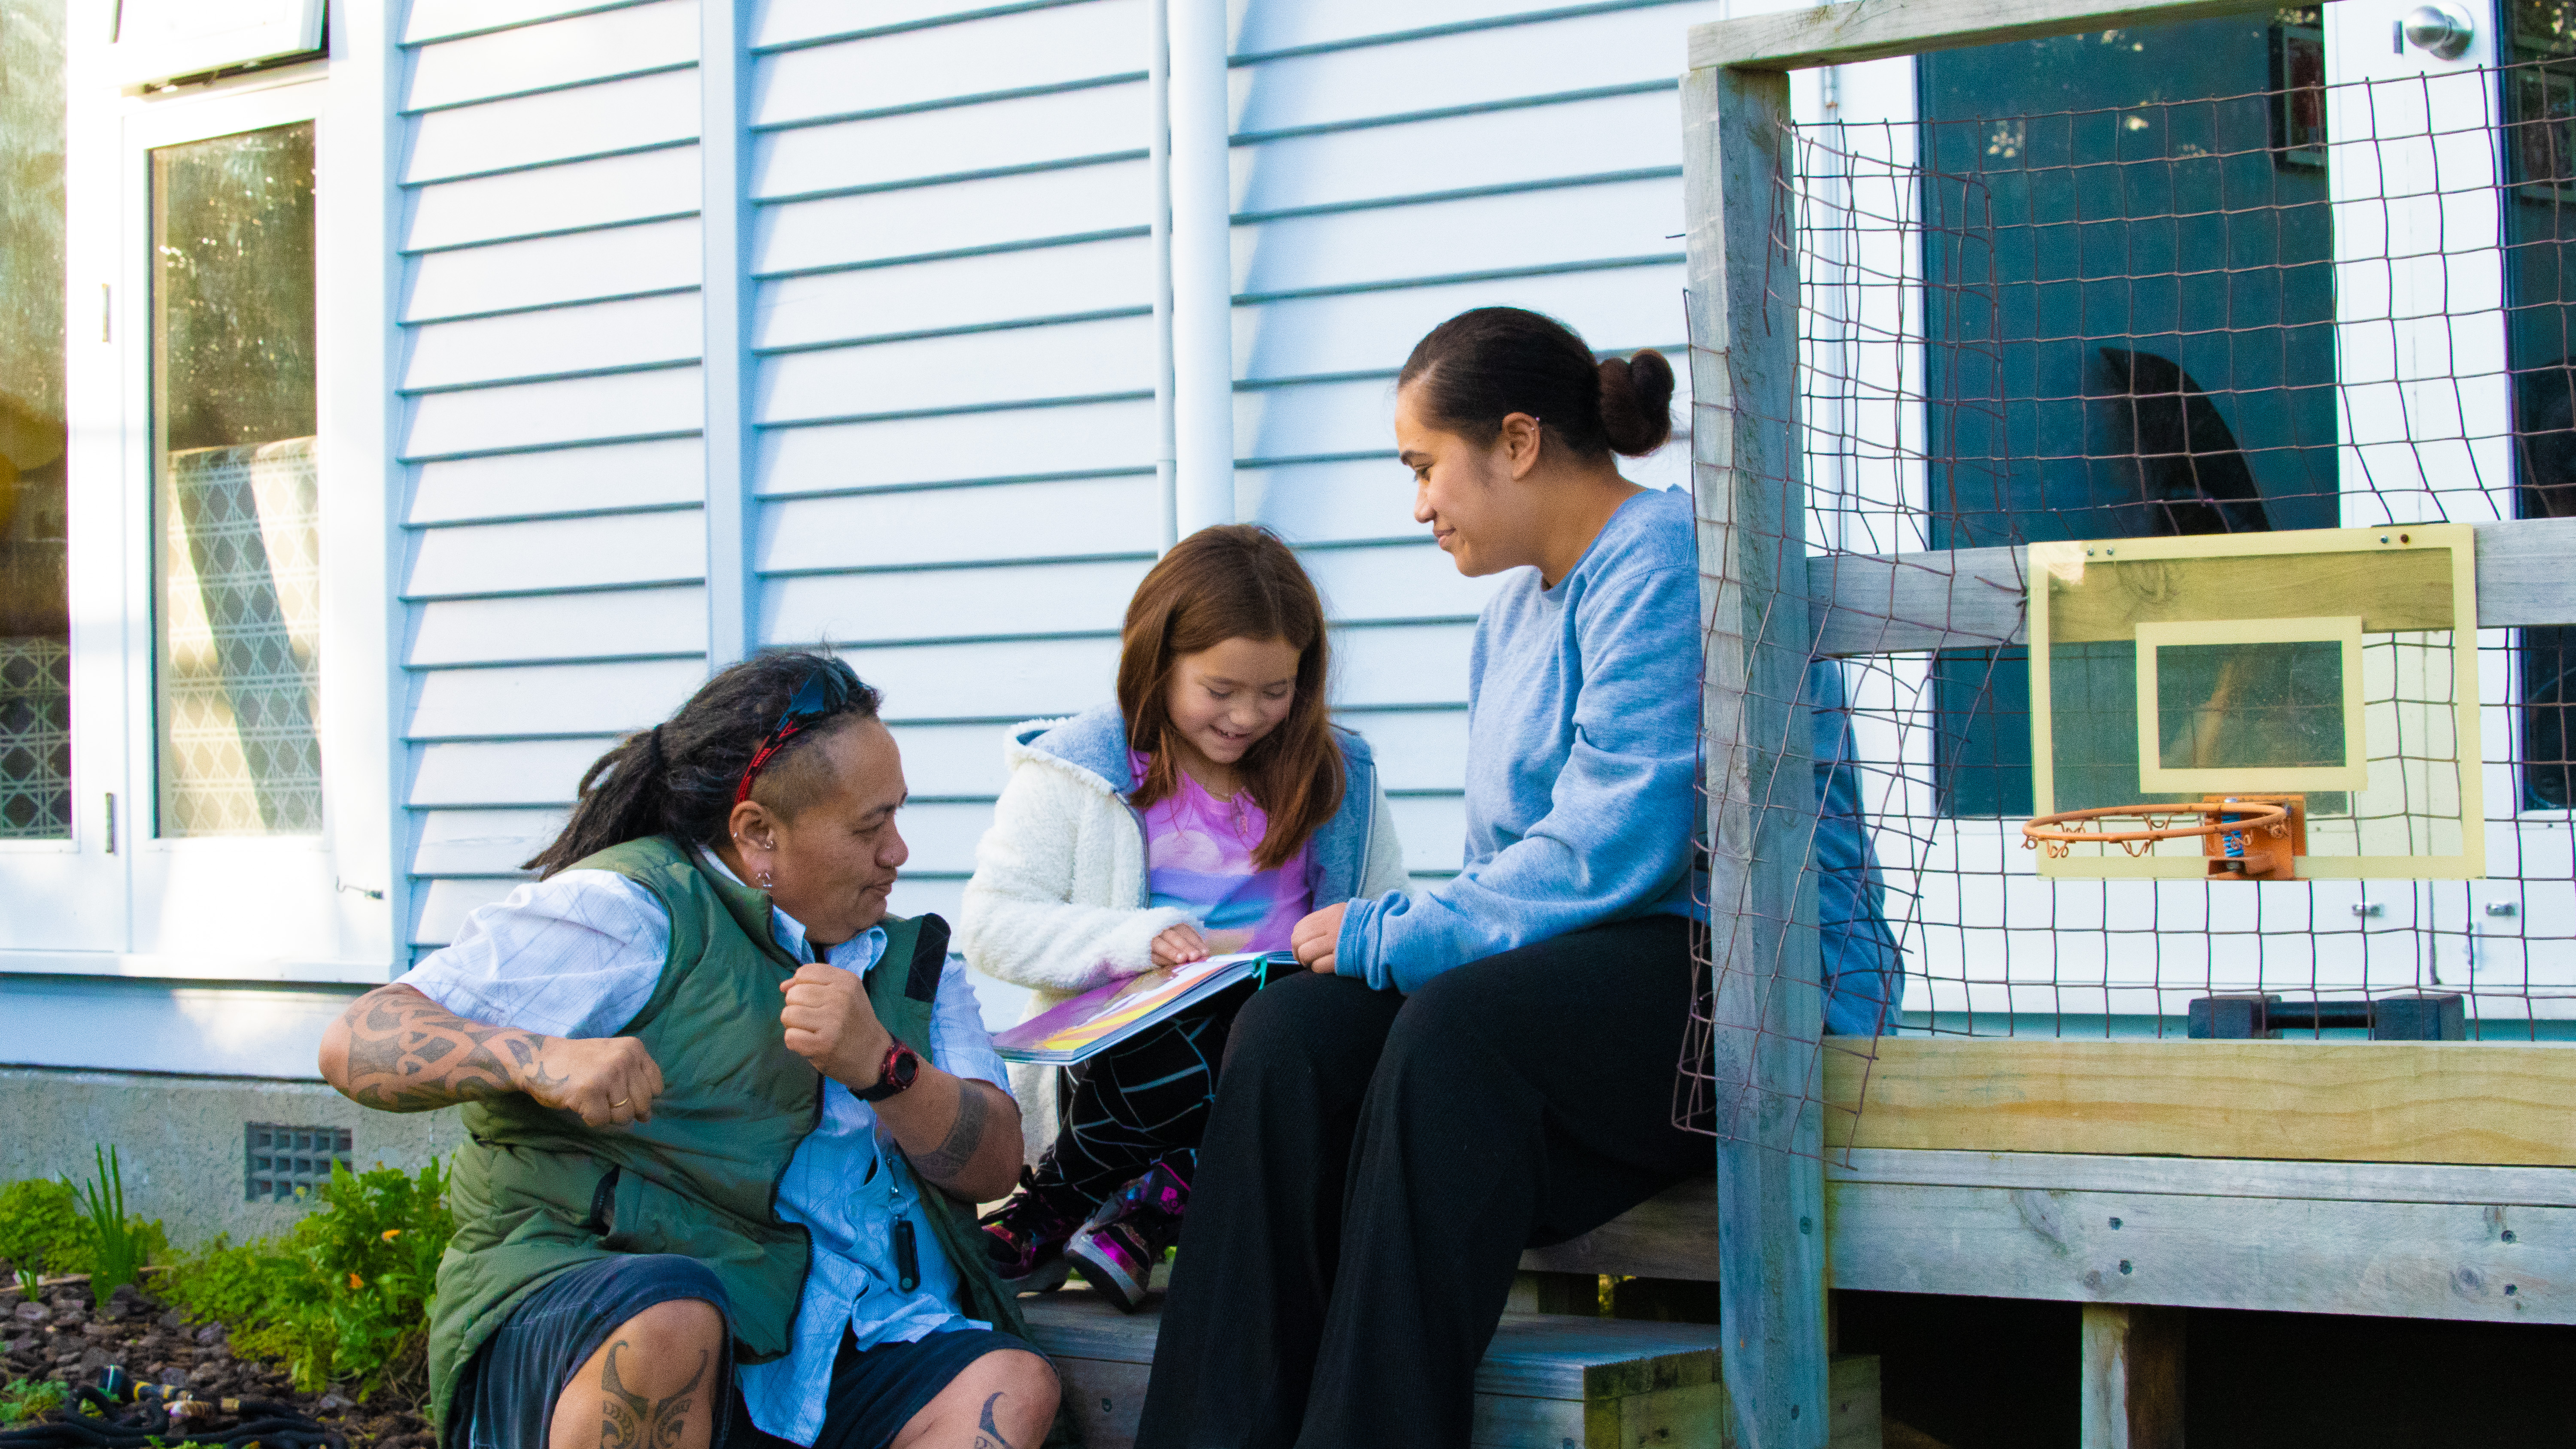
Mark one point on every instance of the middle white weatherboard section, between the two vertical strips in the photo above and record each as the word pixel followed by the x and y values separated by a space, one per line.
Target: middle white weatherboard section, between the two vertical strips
pixel 954 372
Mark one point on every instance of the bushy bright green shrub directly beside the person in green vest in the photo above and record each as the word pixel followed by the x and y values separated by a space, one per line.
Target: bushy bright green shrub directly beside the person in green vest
pixel 346 1296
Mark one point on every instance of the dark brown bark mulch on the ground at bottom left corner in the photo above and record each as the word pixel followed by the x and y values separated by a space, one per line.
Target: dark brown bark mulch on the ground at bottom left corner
pixel 71 1340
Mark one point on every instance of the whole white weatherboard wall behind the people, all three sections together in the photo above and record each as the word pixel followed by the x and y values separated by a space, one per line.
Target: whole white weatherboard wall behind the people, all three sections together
pixel 952 362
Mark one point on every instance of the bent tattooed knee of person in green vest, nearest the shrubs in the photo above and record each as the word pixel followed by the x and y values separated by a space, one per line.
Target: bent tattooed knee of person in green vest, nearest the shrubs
pixel 650 1386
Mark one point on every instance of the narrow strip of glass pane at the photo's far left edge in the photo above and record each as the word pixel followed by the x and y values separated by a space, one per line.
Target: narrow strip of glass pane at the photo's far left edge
pixel 35 616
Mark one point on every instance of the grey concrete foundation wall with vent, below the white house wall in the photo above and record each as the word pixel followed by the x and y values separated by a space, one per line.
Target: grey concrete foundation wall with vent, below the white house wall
pixel 179 1139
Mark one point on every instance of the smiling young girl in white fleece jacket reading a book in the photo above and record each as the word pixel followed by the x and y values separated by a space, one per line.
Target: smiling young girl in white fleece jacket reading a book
pixel 1202 815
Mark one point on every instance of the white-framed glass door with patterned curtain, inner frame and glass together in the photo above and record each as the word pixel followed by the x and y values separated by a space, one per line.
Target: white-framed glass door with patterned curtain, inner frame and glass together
pixel 225 637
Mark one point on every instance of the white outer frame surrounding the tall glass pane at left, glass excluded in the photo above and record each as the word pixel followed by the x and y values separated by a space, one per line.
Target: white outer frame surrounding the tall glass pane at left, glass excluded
pixel 282 910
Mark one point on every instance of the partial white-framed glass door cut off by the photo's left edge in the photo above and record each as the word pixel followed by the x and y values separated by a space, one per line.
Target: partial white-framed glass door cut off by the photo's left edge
pixel 61 794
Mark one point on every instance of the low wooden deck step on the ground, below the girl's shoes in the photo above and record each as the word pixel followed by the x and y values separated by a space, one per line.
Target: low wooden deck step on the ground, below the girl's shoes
pixel 1547 1383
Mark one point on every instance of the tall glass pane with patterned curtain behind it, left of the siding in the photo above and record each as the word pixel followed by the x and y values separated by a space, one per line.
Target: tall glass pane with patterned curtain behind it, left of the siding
pixel 236 498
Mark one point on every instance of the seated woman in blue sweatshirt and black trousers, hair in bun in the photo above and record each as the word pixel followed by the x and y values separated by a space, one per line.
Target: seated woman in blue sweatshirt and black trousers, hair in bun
pixel 1485 1064
